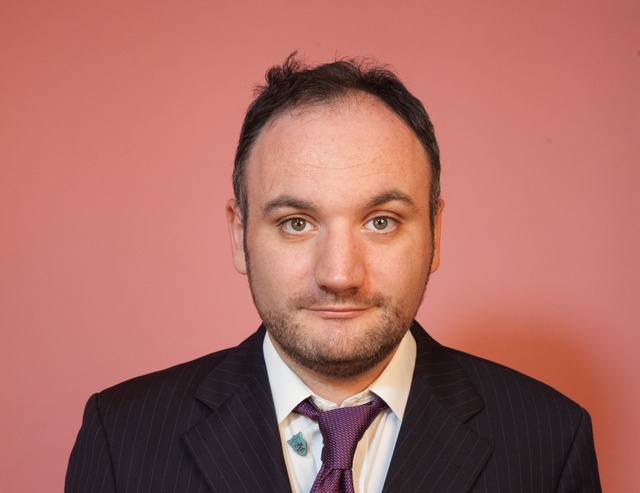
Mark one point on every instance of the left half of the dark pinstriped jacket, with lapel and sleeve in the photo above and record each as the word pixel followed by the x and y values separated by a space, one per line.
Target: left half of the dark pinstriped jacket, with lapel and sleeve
pixel 207 425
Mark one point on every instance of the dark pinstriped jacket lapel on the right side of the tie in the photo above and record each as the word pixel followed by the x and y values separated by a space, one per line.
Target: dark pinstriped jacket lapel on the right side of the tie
pixel 435 450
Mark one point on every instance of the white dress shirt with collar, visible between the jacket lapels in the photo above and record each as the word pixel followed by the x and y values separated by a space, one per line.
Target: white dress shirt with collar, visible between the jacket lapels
pixel 374 451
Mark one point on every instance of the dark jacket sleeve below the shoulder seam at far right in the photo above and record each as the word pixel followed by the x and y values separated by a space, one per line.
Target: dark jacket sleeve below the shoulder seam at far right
pixel 580 471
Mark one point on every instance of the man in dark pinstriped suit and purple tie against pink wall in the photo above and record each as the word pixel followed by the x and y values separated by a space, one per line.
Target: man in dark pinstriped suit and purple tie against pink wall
pixel 336 222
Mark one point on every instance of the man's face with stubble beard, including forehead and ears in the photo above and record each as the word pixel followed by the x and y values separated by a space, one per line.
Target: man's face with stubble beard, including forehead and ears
pixel 337 243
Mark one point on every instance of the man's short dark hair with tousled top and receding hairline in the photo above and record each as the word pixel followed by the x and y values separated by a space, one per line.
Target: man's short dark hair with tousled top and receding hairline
pixel 295 84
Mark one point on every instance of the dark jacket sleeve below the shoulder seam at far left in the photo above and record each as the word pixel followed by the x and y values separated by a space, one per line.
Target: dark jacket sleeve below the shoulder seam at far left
pixel 90 467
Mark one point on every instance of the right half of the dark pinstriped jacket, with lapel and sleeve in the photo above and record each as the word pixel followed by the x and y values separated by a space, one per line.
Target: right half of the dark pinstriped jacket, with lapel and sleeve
pixel 473 425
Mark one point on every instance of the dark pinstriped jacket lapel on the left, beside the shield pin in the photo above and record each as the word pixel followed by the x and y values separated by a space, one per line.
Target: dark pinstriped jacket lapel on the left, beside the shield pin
pixel 237 448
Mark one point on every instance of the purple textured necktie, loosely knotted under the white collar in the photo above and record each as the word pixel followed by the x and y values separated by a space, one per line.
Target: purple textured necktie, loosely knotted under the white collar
pixel 341 431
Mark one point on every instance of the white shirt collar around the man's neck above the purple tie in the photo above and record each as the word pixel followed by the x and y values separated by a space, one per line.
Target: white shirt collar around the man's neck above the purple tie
pixel 392 385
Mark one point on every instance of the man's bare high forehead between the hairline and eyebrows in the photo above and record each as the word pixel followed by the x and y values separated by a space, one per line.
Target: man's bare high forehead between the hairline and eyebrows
pixel 348 144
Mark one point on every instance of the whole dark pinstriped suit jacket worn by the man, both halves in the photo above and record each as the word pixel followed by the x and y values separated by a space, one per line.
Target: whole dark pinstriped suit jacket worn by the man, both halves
pixel 210 425
